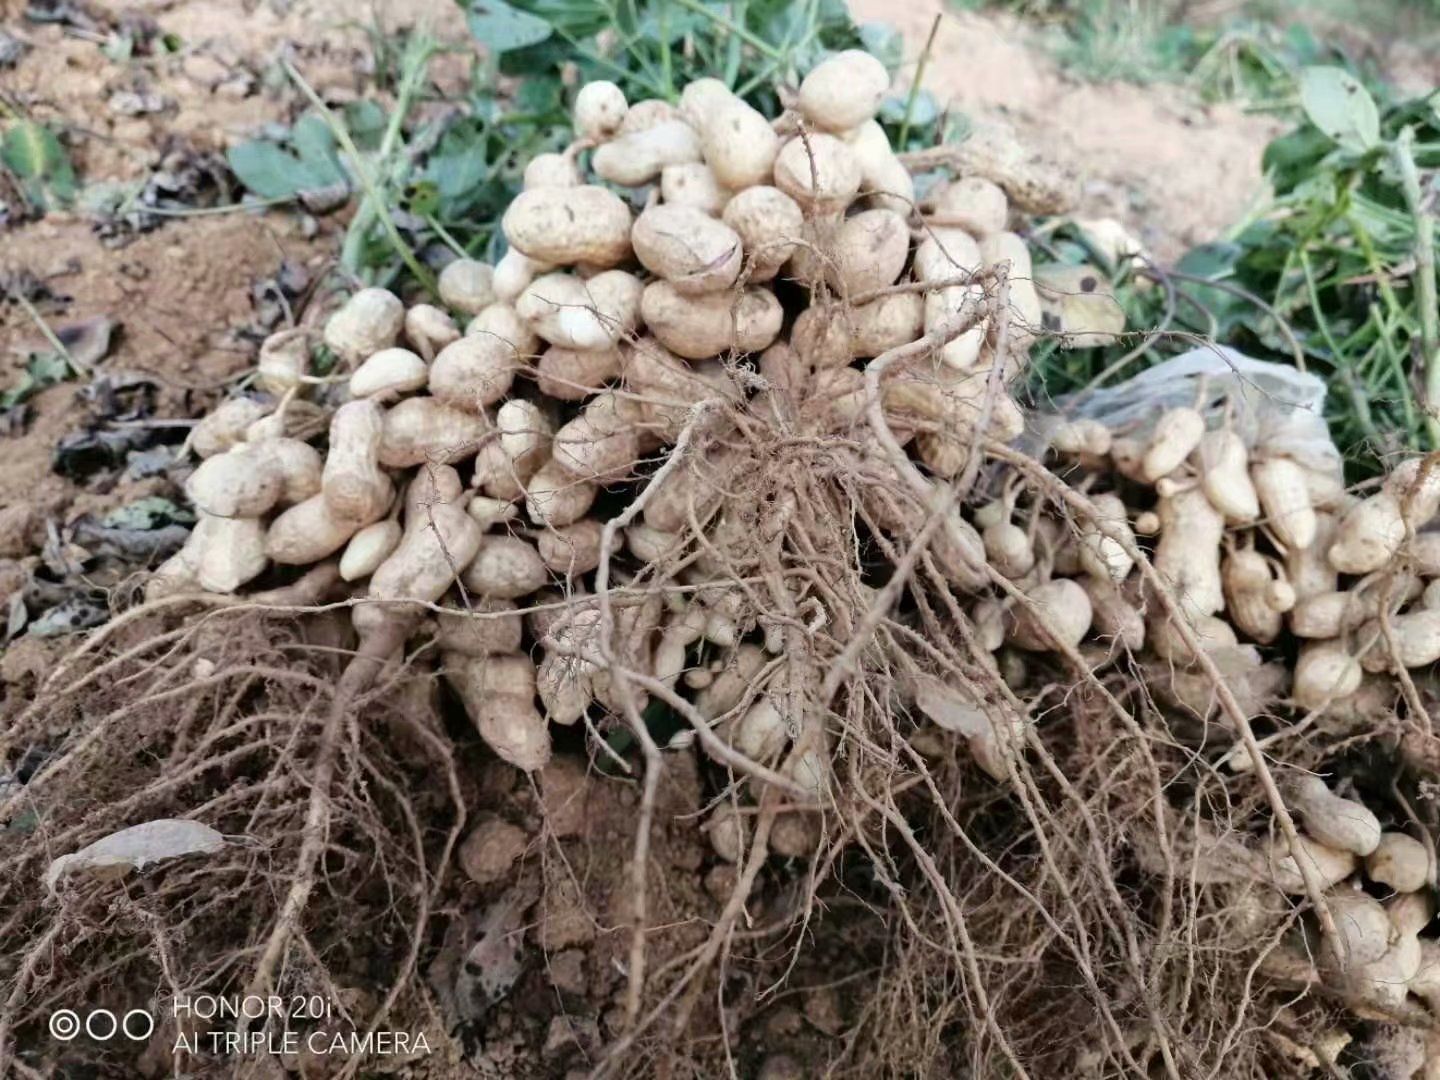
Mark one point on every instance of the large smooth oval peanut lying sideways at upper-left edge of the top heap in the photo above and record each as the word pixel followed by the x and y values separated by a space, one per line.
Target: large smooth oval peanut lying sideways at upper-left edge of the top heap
pixel 568 225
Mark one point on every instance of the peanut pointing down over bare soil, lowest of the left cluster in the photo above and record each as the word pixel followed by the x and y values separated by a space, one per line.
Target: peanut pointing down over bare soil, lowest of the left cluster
pixel 499 696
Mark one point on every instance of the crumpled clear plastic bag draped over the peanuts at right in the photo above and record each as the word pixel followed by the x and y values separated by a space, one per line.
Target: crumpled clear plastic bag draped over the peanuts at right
pixel 1278 410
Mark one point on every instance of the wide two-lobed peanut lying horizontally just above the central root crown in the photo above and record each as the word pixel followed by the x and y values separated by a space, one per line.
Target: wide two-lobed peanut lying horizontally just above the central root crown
pixel 699 328
